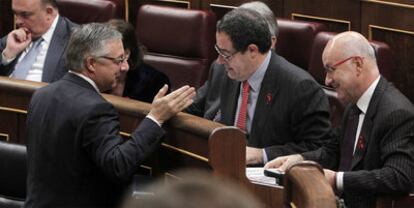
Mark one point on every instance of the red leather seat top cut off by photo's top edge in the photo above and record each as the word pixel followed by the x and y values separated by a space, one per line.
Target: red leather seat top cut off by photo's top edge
pixel 82 12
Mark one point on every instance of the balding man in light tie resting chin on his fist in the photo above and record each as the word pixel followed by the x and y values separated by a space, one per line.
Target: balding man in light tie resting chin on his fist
pixel 36 21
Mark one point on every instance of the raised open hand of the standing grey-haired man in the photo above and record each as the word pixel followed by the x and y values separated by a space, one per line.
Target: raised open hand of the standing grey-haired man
pixel 165 106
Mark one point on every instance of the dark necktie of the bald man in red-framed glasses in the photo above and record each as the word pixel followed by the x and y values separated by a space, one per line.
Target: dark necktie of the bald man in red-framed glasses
pixel 349 139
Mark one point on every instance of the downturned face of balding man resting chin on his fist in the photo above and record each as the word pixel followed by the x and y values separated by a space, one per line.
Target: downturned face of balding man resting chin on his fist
pixel 34 16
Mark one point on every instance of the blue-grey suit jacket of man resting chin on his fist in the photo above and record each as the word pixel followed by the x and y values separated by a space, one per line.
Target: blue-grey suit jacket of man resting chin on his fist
pixel 54 67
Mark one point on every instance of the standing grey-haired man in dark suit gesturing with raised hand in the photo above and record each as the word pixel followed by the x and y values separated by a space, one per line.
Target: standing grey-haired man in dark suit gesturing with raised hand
pixel 76 157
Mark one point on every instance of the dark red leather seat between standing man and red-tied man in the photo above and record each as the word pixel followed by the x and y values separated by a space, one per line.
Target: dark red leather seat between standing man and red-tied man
pixel 180 42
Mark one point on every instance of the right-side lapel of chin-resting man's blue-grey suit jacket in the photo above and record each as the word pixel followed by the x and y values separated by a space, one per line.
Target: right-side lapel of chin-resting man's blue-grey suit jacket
pixel 56 50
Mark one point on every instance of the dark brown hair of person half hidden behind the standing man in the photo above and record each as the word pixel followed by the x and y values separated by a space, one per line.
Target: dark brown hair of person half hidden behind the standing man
pixel 130 41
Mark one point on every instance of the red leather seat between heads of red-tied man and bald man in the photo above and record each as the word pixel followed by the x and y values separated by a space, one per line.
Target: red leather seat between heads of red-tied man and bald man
pixel 295 39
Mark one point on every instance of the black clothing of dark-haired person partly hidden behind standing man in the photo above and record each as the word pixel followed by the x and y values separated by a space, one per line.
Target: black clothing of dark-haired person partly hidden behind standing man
pixel 144 82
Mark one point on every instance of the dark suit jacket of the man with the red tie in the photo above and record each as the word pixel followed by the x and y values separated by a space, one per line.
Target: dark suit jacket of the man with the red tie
pixel 292 111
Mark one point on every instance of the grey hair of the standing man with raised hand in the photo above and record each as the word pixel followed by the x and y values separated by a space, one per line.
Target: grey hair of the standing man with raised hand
pixel 89 40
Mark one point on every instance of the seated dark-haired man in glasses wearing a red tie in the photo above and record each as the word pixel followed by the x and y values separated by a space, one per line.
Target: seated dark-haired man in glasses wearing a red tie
pixel 287 111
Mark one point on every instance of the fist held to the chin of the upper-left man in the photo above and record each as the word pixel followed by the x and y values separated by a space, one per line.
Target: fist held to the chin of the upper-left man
pixel 17 41
